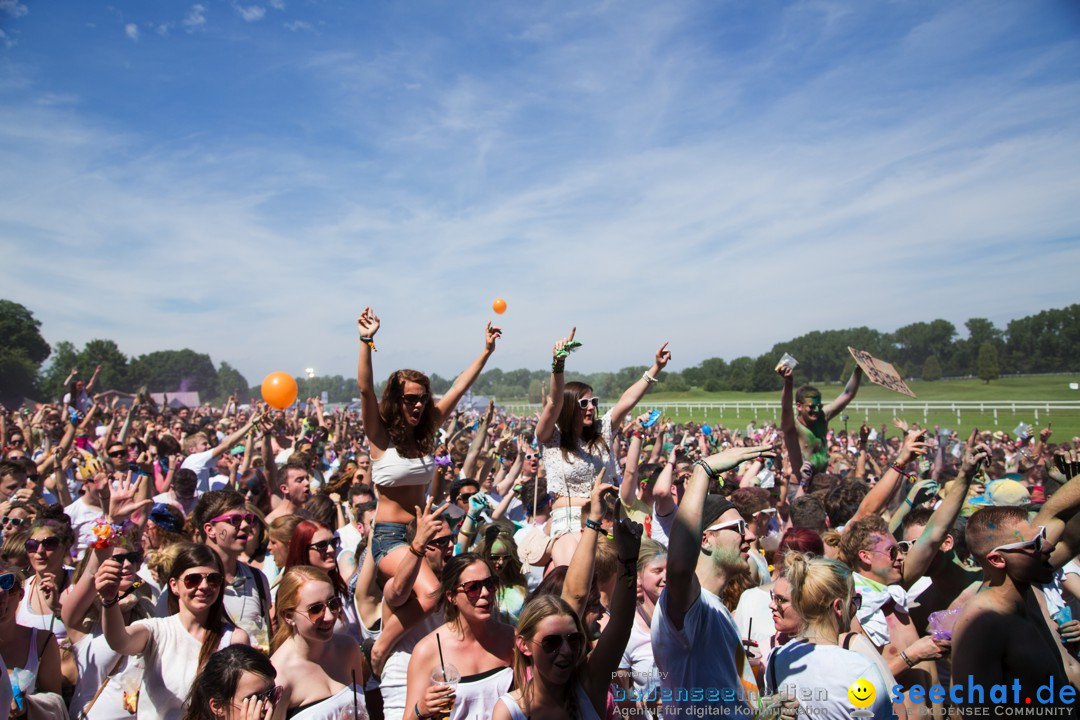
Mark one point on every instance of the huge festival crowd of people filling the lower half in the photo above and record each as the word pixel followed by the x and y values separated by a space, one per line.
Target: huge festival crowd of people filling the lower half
pixel 414 560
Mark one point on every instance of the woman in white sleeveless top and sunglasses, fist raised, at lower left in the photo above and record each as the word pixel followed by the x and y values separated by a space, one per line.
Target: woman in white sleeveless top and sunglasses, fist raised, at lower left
pixel 177 647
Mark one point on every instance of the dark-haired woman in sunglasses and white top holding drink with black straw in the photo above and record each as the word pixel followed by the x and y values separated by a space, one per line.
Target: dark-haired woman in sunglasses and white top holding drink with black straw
pixel 474 640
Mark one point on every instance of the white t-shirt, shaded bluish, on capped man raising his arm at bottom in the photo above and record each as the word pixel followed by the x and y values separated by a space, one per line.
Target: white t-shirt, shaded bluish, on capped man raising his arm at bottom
pixel 698 662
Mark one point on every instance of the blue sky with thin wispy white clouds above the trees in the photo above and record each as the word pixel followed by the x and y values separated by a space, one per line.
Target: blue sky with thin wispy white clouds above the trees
pixel 242 179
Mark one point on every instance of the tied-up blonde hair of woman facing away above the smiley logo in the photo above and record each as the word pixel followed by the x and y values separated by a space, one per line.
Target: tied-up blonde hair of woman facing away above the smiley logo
pixel 818 582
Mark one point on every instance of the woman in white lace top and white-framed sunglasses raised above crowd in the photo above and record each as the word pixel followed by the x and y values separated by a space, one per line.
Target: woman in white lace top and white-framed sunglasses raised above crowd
pixel 577 444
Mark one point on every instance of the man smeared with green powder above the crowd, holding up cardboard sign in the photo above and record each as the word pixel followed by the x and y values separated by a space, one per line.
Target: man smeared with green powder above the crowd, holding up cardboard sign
pixel 811 426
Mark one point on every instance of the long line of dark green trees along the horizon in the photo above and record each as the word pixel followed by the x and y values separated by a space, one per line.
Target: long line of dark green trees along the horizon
pixel 1044 343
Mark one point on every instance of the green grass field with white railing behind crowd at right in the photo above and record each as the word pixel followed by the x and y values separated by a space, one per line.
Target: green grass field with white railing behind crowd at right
pixel 1066 425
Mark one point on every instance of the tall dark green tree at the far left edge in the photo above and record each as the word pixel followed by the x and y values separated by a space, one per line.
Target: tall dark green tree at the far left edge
pixel 22 354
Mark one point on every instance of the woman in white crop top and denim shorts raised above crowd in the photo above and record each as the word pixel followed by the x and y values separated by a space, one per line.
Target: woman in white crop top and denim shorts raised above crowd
pixel 401 434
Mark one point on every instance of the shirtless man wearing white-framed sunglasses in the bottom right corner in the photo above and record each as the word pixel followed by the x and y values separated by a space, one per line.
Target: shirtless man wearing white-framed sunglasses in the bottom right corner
pixel 1003 637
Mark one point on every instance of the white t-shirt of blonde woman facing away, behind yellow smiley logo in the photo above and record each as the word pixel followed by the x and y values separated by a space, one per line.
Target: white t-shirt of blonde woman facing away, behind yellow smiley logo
pixel 827 673
